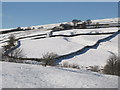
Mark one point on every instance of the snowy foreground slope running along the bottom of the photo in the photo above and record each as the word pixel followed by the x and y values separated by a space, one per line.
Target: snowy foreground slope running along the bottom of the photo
pixel 35 76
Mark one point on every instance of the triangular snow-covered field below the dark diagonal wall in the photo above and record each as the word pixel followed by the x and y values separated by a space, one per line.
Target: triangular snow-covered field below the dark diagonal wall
pixel 96 56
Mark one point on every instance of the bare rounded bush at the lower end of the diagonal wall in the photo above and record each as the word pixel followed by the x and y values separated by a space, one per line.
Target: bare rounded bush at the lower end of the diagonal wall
pixel 49 59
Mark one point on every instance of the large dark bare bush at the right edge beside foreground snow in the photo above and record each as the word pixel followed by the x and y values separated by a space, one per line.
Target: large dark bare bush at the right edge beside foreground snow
pixel 112 66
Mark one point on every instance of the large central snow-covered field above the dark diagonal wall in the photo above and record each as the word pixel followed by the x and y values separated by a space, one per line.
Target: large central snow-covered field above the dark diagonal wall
pixel 59 45
